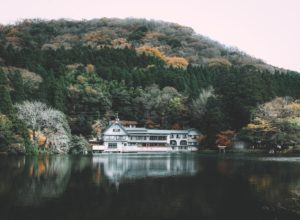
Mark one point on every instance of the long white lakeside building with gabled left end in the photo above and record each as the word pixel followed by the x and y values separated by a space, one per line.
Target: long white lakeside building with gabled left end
pixel 118 138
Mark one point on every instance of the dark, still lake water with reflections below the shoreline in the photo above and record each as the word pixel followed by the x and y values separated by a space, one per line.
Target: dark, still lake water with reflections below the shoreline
pixel 140 187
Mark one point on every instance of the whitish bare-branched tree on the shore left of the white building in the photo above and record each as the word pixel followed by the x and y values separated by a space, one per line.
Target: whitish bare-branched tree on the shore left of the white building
pixel 46 121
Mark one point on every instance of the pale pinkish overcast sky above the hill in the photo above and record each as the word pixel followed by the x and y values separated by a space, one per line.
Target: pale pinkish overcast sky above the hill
pixel 266 29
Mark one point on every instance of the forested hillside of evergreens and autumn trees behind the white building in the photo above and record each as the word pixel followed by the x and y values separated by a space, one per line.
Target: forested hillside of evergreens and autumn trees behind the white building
pixel 159 74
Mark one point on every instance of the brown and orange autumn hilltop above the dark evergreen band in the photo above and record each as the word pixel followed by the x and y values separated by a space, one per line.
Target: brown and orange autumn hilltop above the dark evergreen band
pixel 177 45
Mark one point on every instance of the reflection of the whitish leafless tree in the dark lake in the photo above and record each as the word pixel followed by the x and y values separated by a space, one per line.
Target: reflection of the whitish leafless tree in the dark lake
pixel 47 178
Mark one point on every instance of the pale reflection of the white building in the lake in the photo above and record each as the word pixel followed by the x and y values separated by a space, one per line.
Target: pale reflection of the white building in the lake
pixel 118 168
